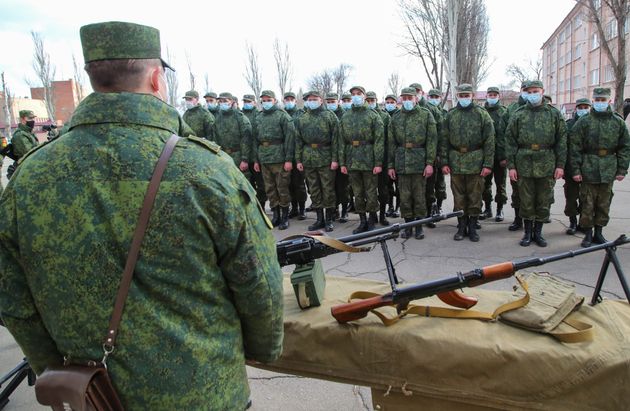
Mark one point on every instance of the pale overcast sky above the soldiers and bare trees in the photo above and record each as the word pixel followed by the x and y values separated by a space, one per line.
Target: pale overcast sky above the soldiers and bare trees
pixel 320 35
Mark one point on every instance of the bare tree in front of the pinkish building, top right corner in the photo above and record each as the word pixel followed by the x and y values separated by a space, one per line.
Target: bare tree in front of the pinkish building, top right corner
pixel 612 39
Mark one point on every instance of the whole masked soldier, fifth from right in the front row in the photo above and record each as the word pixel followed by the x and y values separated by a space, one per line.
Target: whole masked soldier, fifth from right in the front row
pixel 361 155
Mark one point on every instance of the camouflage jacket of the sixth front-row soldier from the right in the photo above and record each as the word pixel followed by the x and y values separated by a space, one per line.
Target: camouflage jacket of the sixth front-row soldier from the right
pixel 317 138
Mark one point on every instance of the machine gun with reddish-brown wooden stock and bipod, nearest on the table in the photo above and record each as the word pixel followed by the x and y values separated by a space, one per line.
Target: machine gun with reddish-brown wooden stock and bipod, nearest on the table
pixel 401 297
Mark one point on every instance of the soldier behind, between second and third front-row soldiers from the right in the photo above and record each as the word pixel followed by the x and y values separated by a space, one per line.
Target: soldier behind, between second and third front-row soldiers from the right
pixel 499 171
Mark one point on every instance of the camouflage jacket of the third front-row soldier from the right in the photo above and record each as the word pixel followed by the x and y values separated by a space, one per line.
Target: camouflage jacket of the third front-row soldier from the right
pixel 467 143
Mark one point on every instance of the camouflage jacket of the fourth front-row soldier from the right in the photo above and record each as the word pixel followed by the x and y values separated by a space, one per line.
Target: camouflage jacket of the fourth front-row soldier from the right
pixel 412 141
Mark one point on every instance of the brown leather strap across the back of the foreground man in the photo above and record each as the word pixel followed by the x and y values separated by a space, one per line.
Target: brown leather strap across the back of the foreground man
pixel 134 250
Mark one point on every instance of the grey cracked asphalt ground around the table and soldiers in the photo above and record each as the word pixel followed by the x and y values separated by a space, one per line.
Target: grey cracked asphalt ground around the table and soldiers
pixel 416 261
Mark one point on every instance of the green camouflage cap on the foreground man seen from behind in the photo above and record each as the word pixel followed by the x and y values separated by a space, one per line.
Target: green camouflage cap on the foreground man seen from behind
pixel 116 40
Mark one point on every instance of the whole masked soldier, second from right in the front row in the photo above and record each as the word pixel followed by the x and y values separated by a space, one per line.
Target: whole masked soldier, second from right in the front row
pixel 536 147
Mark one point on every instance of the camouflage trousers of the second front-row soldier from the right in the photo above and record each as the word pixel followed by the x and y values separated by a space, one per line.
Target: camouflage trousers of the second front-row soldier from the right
pixel 536 195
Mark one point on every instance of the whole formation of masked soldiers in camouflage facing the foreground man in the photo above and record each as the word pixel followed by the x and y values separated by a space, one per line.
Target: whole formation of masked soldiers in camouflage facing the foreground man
pixel 375 161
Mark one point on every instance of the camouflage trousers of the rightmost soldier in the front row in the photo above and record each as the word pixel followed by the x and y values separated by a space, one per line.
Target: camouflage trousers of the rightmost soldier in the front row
pixel 595 200
